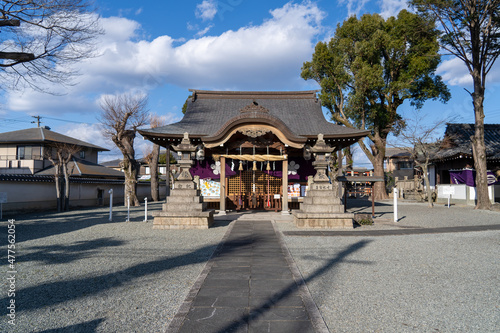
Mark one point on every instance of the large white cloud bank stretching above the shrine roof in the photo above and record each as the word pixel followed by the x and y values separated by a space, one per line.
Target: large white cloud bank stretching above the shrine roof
pixel 258 57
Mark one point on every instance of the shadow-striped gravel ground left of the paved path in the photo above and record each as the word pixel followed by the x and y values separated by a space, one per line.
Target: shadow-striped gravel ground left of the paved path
pixel 77 272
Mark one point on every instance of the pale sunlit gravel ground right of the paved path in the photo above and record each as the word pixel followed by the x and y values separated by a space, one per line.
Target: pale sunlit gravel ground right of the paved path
pixel 414 283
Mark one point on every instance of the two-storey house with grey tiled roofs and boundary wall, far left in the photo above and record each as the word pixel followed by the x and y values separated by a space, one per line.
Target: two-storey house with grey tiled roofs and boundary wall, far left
pixel 27 175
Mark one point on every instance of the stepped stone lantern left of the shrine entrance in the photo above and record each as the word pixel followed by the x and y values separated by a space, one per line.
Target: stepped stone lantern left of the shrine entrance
pixel 184 208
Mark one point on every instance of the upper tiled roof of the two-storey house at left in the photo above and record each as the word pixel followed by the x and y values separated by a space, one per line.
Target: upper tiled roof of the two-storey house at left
pixel 43 135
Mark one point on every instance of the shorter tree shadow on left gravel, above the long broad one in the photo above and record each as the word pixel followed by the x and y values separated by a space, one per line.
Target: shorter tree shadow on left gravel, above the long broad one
pixel 61 254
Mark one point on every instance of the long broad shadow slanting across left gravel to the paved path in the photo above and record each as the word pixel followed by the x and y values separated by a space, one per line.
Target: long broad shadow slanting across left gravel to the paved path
pixel 52 293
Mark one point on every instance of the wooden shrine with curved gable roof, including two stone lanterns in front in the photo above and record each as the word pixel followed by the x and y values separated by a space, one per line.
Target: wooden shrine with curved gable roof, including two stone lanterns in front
pixel 243 150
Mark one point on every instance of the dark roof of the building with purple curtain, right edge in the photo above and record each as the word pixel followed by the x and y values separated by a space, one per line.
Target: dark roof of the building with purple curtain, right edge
pixel 457 141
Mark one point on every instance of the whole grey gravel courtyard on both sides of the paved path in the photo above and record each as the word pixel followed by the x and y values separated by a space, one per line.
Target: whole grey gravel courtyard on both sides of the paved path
pixel 77 272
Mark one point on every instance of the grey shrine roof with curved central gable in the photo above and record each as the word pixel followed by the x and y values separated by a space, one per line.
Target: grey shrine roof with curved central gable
pixel 297 113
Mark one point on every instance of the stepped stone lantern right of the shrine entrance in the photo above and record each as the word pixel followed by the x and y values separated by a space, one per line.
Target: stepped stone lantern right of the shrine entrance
pixel 322 207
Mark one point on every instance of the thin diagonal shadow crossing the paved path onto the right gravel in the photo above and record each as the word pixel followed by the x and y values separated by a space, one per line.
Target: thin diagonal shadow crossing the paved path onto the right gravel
pixel 256 313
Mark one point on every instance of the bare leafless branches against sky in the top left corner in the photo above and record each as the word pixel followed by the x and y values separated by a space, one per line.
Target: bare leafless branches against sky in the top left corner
pixel 42 39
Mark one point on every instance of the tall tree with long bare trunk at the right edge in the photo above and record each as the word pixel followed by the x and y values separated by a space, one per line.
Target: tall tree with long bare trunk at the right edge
pixel 471 32
